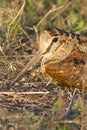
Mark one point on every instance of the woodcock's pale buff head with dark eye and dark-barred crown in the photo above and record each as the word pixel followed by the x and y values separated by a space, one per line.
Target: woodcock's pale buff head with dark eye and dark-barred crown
pixel 56 43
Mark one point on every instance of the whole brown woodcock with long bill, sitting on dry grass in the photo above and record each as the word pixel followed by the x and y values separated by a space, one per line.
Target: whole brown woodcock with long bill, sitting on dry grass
pixel 64 57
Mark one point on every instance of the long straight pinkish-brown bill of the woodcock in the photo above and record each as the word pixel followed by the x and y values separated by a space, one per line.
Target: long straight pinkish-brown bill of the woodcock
pixel 28 66
